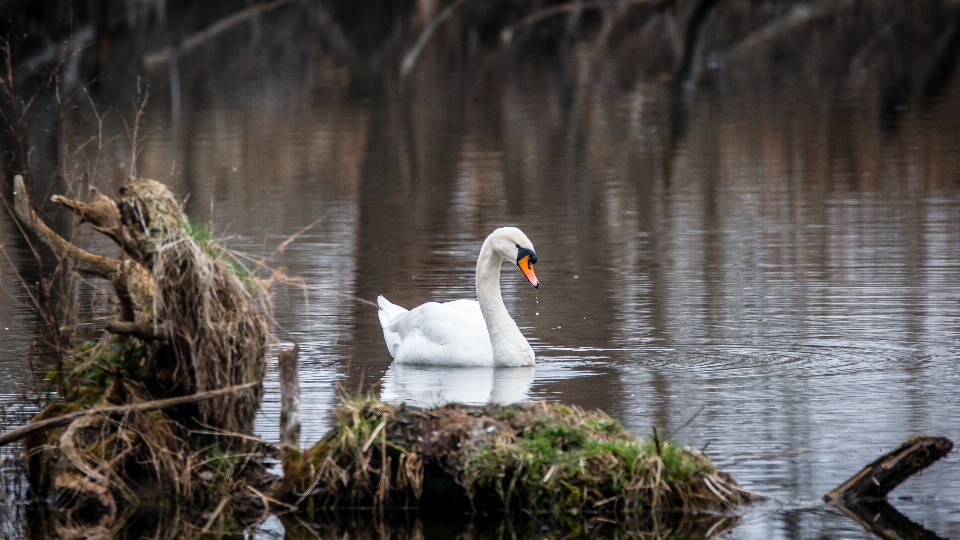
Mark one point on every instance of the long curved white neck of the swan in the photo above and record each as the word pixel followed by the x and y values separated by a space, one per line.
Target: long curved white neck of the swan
pixel 509 345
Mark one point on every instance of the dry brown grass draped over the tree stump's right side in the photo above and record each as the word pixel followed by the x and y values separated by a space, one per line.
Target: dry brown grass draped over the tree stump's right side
pixel 221 325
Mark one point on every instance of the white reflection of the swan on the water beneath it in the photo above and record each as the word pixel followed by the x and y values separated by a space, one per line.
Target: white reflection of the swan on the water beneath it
pixel 432 386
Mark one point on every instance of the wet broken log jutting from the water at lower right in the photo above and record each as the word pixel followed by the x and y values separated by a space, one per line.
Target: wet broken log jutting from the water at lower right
pixel 890 470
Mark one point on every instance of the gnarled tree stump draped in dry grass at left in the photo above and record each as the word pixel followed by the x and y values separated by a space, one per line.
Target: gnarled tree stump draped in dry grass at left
pixel 188 323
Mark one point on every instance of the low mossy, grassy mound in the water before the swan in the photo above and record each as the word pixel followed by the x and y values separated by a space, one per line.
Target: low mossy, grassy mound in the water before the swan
pixel 536 457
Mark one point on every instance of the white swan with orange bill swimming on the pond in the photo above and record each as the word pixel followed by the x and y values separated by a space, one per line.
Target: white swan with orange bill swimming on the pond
pixel 466 332
